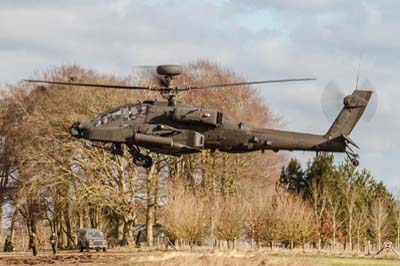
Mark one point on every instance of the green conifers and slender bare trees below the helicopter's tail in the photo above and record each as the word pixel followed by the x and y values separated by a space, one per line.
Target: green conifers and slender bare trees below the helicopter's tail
pixel 350 206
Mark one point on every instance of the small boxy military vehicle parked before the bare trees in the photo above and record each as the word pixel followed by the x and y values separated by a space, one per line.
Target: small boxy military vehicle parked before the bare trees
pixel 91 238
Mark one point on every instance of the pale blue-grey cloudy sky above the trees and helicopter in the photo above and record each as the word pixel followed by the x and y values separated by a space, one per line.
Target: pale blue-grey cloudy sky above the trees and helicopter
pixel 260 39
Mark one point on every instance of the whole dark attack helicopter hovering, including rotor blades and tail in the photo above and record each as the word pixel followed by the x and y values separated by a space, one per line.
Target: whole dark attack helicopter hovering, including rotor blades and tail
pixel 172 128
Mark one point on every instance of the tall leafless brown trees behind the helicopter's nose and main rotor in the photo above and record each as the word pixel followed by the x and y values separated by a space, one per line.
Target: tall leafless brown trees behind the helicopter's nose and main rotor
pixel 51 182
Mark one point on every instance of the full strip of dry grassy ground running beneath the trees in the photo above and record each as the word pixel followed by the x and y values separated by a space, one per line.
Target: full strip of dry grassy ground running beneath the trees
pixel 135 257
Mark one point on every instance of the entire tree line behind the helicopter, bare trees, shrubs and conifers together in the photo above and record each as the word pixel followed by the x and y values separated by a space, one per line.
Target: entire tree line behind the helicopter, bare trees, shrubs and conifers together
pixel 50 182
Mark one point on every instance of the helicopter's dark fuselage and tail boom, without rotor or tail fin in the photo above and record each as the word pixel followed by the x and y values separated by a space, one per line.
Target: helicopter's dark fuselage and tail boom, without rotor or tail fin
pixel 183 129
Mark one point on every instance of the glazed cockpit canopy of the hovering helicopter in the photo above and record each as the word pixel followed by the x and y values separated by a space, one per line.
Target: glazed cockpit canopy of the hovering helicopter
pixel 123 113
